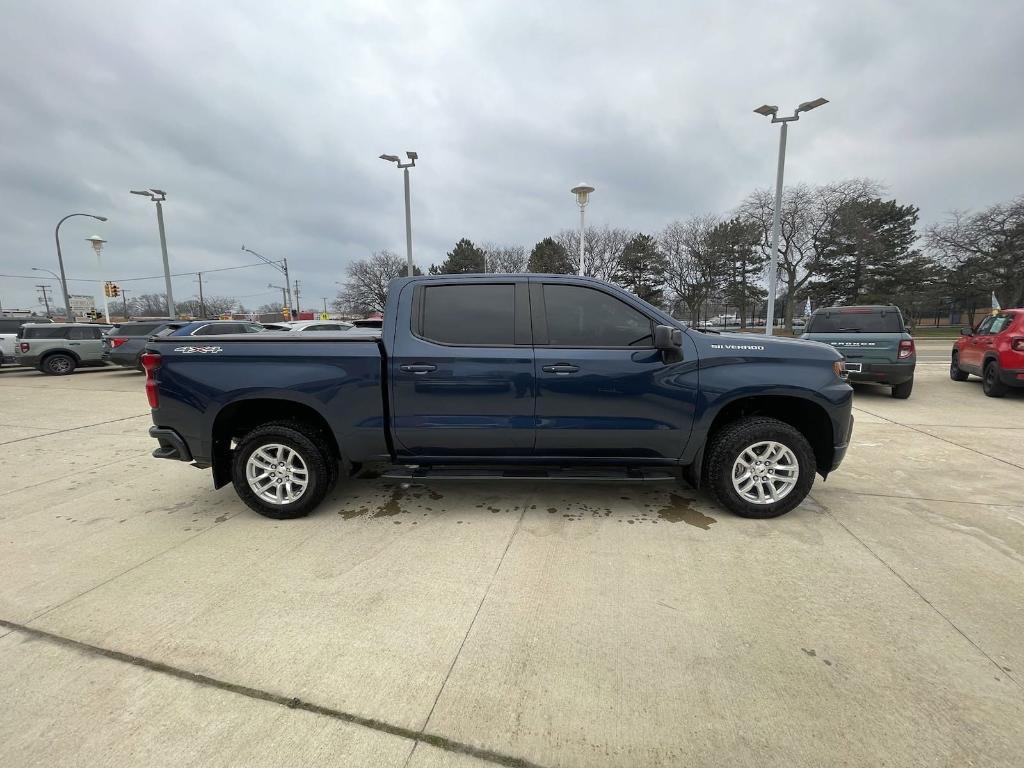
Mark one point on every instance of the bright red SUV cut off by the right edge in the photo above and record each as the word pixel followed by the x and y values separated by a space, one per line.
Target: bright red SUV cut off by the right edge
pixel 994 351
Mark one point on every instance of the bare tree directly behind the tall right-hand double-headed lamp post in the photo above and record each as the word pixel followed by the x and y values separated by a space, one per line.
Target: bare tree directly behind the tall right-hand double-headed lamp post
pixel 808 214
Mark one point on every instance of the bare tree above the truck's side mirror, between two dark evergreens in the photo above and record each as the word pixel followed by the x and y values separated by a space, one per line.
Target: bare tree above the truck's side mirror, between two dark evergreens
pixel 697 266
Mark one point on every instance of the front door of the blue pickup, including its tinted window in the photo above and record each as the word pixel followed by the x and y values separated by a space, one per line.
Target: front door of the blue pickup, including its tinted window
pixel 604 390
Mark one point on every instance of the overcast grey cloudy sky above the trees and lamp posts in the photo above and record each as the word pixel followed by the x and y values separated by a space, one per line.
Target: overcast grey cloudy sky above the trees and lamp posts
pixel 264 121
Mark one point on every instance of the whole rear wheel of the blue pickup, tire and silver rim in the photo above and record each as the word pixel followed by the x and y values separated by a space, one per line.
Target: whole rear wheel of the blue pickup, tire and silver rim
pixel 283 471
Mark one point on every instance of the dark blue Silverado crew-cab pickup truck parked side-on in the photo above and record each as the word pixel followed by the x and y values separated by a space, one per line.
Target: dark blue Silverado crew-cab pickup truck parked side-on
pixel 504 376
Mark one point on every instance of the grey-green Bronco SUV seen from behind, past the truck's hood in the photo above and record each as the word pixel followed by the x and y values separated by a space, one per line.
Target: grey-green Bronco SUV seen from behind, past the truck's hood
pixel 874 340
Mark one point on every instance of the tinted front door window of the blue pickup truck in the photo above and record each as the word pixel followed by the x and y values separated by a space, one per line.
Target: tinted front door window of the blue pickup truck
pixel 587 318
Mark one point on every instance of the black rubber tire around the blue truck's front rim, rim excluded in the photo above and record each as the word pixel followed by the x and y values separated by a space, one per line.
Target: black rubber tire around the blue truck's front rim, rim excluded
pixel 730 443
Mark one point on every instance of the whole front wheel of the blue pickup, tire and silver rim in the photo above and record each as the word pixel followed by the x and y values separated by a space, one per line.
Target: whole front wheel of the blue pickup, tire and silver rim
pixel 760 467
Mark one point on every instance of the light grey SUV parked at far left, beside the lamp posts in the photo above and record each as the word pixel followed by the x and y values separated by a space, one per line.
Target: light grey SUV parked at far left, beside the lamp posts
pixel 59 349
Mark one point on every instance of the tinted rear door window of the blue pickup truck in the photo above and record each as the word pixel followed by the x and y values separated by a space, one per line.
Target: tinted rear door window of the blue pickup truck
pixel 476 315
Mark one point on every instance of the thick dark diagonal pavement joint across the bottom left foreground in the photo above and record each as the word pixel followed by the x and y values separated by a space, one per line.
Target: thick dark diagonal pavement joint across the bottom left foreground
pixel 260 695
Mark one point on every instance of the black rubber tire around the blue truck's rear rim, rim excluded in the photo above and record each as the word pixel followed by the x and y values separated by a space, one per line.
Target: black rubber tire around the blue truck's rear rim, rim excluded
pixel 314 453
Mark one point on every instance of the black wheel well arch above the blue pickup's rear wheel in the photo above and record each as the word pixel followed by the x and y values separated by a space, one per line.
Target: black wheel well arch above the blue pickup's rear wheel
pixel 239 418
